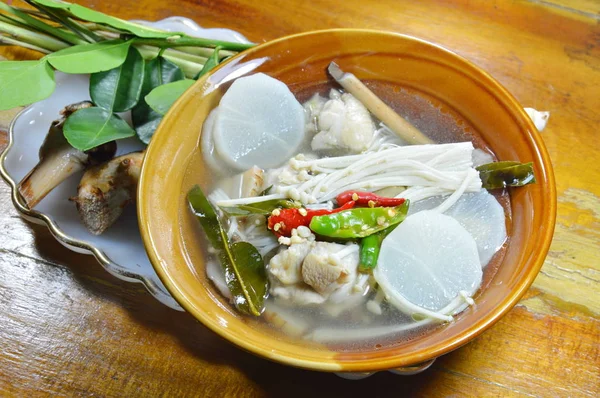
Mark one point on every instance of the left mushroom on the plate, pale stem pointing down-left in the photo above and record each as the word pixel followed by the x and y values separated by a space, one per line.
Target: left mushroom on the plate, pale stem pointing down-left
pixel 59 160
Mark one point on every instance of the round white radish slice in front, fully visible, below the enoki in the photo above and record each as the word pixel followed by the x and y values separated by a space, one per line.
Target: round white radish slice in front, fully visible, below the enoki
pixel 426 263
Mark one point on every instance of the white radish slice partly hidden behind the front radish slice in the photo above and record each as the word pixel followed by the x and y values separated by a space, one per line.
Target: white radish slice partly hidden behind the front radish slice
pixel 480 214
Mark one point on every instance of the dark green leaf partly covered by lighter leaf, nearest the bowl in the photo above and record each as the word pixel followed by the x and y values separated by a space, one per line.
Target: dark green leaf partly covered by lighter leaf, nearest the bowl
pixel 157 71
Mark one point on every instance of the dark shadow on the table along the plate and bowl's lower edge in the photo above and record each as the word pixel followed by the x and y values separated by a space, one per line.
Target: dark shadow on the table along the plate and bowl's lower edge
pixel 271 378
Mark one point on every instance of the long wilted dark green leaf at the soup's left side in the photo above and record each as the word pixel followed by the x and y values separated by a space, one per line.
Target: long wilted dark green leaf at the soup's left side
pixel 243 265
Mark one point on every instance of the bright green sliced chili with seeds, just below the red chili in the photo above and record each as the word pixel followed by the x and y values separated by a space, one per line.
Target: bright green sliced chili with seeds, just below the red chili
pixel 359 222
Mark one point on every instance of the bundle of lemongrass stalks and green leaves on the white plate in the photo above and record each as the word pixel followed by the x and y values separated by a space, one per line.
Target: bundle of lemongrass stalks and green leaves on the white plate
pixel 132 67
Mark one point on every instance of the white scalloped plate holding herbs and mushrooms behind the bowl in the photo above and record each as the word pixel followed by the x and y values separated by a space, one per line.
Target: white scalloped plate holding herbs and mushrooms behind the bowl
pixel 120 249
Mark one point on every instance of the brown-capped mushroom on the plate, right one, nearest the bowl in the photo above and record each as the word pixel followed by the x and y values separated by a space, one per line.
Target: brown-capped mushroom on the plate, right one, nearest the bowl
pixel 105 190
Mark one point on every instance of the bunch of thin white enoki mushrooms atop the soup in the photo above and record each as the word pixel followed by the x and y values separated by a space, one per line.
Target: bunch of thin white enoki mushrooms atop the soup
pixel 430 169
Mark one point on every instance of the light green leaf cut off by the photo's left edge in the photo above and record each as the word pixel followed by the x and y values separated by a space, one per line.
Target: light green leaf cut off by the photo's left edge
pixel 24 82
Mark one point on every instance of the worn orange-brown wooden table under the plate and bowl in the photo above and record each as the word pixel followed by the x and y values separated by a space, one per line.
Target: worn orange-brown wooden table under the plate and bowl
pixel 69 328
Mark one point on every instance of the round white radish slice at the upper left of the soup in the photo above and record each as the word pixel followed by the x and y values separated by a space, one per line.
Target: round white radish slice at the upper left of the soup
pixel 259 122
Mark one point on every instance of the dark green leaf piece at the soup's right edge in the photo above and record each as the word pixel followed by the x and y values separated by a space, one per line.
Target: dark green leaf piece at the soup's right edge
pixel 506 174
